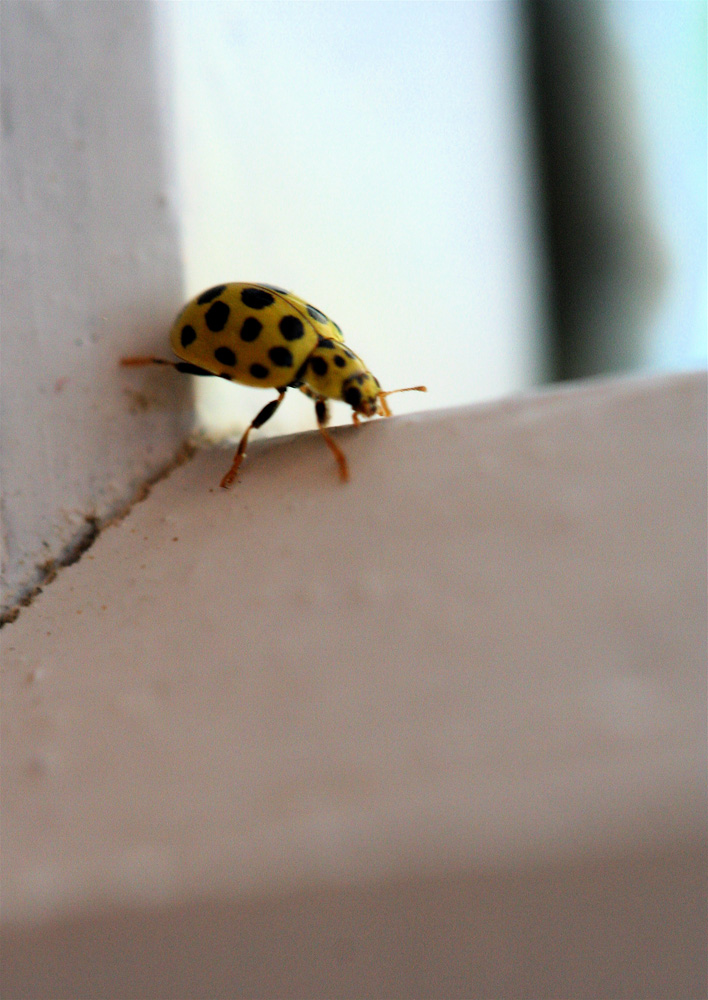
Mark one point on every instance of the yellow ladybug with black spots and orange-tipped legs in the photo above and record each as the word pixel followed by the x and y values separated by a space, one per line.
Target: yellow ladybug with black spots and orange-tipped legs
pixel 264 336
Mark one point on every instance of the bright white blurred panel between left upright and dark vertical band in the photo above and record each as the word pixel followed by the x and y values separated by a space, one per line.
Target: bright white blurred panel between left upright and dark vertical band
pixel 373 157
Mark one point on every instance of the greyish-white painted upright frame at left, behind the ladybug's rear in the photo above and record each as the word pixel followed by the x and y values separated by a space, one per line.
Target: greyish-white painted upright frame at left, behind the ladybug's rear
pixel 90 271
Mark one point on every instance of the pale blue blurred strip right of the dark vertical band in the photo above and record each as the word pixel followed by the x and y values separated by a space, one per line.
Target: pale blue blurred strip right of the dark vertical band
pixel 664 44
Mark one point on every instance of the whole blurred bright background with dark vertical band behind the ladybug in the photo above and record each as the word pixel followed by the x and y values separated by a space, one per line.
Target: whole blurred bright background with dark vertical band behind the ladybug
pixel 484 196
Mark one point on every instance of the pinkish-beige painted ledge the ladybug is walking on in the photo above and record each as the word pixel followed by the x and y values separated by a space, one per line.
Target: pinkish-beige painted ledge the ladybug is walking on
pixel 470 681
